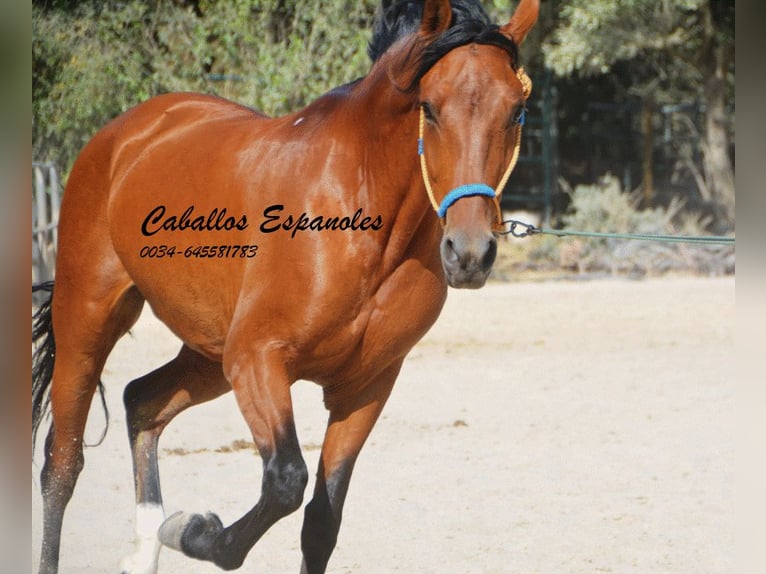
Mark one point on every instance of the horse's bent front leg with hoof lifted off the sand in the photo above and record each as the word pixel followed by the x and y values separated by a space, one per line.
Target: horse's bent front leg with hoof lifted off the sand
pixel 261 385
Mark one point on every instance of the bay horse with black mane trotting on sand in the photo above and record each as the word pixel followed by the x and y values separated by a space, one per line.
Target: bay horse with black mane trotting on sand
pixel 318 246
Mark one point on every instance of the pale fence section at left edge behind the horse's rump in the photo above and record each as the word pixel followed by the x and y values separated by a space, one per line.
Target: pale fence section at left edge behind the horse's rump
pixel 46 199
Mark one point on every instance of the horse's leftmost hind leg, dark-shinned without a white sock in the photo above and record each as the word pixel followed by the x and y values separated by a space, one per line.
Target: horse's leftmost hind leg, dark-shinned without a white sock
pixel 87 322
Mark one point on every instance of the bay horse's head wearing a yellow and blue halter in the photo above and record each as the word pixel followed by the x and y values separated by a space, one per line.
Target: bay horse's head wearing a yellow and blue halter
pixel 471 97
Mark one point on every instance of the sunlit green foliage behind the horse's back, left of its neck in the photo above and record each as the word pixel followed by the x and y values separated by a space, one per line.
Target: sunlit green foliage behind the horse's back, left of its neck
pixel 94 60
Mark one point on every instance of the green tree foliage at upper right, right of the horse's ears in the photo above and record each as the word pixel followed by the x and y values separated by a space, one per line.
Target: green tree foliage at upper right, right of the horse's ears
pixel 661 41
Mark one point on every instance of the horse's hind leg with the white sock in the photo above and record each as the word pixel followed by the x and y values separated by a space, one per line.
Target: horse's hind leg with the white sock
pixel 151 402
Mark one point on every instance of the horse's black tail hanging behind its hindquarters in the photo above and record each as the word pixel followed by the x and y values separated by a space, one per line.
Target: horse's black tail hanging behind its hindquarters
pixel 43 358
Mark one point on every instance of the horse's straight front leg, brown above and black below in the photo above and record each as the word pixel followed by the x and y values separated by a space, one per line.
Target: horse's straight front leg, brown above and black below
pixel 351 420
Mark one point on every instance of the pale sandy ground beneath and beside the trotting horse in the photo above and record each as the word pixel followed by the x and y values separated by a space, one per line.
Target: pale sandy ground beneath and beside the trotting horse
pixel 553 427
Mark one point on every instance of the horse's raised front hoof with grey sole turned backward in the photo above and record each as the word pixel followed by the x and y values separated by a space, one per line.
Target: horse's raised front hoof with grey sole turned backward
pixel 192 534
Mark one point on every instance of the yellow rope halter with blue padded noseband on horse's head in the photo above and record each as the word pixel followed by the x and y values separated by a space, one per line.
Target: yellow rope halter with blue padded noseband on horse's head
pixel 472 189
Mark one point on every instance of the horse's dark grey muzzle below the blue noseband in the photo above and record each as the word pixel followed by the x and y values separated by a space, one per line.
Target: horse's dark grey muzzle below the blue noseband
pixel 467 262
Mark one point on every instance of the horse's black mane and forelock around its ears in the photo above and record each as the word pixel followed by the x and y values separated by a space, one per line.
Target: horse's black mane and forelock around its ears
pixel 470 24
